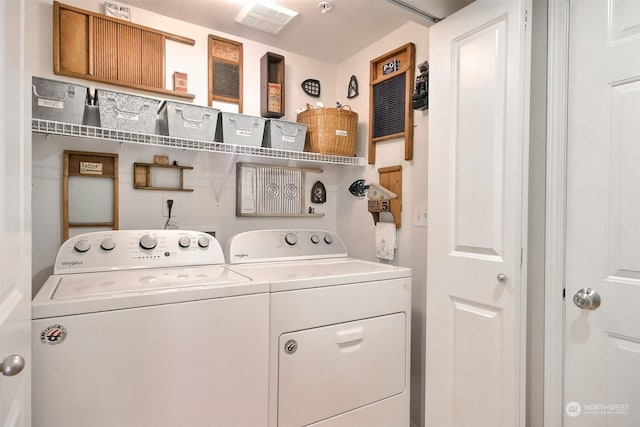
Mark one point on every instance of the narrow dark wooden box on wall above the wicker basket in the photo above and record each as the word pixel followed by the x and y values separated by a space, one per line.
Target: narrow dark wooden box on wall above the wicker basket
pixel 272 86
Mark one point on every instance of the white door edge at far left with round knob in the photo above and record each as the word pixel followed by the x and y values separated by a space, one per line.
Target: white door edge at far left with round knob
pixel 15 220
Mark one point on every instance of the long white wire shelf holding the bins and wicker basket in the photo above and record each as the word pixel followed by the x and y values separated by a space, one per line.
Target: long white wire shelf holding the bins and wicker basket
pixel 49 127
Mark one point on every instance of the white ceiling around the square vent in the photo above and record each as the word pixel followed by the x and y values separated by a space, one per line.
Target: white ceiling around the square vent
pixel 348 27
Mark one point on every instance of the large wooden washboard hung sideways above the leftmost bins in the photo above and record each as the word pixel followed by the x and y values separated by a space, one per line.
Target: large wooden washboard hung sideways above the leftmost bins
pixel 97 47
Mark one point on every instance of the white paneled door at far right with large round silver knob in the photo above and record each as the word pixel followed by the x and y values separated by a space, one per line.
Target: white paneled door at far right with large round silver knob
pixel 602 344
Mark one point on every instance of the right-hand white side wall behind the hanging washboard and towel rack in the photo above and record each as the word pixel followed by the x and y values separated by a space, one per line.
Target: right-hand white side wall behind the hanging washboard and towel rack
pixel 355 223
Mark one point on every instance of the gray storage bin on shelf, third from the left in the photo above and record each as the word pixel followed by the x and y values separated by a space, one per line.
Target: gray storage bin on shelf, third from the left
pixel 187 121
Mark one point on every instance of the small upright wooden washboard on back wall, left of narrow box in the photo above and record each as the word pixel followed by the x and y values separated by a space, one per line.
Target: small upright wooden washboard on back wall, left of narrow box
pixel 226 54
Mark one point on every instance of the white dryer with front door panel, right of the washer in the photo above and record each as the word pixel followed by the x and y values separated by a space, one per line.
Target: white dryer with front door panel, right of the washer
pixel 339 346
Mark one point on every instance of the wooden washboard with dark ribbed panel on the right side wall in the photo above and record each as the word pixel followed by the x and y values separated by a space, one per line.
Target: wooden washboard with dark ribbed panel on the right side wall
pixel 396 64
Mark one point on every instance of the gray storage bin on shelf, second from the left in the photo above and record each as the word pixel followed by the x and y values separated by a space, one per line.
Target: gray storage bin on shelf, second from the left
pixel 124 111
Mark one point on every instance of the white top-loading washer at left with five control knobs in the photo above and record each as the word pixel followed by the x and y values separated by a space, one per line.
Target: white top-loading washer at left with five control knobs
pixel 149 328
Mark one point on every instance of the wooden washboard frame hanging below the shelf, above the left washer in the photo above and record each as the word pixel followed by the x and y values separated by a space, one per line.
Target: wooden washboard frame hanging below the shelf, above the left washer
pixel 92 166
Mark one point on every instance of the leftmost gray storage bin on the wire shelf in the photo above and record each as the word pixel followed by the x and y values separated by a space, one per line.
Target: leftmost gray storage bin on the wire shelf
pixel 58 101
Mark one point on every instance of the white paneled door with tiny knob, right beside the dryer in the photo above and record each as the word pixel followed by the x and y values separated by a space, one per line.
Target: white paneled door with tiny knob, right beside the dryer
pixel 476 287
